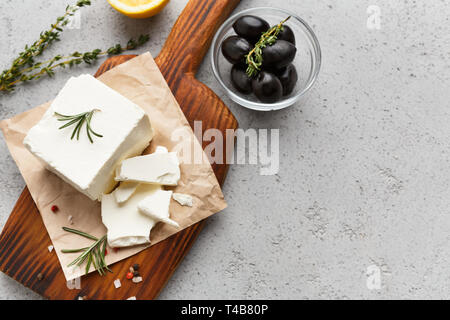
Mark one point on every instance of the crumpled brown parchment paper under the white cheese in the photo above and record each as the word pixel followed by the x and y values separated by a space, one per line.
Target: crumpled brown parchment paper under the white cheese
pixel 140 81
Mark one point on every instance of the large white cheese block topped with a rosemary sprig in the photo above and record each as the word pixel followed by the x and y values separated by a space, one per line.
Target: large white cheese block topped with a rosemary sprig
pixel 90 167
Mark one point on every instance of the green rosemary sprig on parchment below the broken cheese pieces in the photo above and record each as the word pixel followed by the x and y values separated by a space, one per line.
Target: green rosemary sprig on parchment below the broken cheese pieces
pixel 93 255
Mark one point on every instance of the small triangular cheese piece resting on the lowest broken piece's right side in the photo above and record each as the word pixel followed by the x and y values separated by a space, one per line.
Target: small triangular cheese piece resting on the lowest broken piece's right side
pixel 156 206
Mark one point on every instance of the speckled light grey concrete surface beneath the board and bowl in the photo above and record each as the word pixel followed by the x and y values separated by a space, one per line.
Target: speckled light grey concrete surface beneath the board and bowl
pixel 364 159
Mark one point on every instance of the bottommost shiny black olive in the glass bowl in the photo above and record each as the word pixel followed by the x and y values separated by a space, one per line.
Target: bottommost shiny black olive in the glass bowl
pixel 267 87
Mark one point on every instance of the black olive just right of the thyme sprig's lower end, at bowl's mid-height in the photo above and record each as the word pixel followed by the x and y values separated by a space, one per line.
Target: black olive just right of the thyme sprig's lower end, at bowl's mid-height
pixel 279 55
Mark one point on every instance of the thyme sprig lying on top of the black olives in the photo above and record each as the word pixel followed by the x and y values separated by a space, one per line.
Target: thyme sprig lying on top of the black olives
pixel 254 58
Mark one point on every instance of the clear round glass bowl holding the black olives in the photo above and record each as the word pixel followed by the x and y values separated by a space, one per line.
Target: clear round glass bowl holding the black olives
pixel 307 60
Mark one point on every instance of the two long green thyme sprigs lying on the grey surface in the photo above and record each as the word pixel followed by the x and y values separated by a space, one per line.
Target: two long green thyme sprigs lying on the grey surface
pixel 25 68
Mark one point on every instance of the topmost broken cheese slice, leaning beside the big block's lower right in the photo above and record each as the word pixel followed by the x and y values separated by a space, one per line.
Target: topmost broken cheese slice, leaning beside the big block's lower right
pixel 155 168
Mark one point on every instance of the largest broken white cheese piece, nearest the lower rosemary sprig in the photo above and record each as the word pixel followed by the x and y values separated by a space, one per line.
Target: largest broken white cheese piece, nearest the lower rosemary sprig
pixel 126 225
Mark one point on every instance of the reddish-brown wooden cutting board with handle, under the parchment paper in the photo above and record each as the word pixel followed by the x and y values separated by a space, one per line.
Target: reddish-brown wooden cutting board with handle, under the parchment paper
pixel 24 239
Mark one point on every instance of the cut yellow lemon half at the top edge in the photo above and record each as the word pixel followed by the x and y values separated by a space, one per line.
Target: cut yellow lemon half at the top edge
pixel 138 8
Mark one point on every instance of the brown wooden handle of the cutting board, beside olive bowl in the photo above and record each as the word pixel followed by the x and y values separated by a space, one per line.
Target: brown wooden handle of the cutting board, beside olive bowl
pixel 191 35
